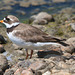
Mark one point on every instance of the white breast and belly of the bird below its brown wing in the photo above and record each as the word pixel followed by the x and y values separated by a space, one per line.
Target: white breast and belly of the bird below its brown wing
pixel 24 44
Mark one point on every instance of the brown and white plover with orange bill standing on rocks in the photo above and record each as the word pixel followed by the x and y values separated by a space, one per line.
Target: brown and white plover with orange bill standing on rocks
pixel 27 36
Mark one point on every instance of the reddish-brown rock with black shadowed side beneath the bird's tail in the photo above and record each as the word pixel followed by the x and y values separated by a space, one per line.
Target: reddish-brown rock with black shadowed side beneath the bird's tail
pixel 51 50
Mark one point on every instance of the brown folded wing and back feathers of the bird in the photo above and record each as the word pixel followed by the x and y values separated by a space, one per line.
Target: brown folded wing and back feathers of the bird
pixel 33 34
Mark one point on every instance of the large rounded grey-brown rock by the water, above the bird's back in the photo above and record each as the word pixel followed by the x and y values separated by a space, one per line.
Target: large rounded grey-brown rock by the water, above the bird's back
pixel 41 18
